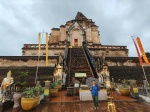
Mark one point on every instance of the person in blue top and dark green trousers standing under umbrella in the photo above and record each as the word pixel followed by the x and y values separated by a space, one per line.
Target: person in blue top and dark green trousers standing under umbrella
pixel 94 91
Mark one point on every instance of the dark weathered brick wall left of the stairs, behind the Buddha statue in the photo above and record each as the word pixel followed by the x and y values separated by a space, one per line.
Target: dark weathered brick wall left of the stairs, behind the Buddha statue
pixel 43 72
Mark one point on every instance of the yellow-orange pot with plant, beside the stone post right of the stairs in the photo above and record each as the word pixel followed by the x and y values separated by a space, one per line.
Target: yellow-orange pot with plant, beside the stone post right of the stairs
pixel 125 90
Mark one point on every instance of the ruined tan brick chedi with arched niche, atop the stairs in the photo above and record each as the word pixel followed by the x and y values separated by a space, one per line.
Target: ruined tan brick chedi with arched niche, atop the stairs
pixel 74 32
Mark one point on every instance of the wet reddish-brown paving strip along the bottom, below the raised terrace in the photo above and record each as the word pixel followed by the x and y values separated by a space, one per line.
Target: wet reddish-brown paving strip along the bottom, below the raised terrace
pixel 125 106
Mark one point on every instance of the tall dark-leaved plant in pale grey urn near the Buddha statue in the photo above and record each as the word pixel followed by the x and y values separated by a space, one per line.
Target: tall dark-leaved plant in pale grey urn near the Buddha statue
pixel 19 87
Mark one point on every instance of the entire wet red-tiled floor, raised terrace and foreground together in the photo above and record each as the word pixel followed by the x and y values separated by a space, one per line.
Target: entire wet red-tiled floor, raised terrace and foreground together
pixel 64 103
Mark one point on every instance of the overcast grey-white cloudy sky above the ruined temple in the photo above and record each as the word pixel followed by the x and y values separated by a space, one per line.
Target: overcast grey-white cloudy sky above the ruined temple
pixel 118 20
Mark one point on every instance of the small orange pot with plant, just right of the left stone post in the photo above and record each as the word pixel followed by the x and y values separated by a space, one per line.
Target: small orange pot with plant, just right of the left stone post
pixel 53 89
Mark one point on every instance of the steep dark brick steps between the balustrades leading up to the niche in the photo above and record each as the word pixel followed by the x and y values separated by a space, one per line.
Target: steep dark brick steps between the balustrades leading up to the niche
pixel 79 63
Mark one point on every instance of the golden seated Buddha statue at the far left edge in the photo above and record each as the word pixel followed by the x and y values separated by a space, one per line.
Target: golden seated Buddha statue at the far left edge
pixel 7 81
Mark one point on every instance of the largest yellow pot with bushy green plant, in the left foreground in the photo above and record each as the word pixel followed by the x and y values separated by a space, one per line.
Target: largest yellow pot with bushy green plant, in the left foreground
pixel 31 97
